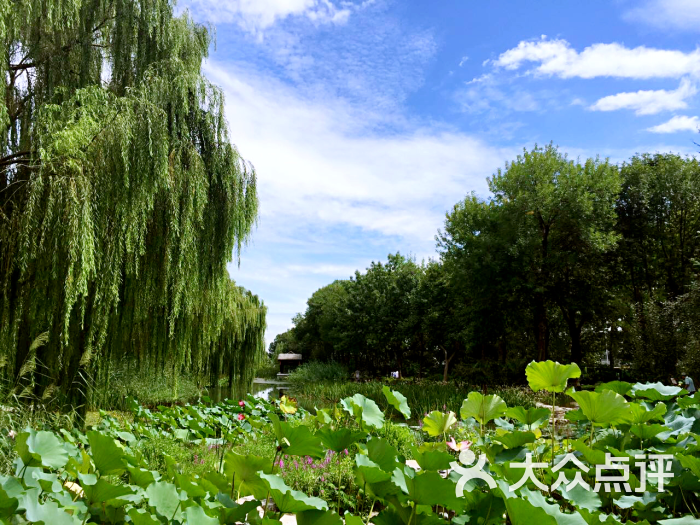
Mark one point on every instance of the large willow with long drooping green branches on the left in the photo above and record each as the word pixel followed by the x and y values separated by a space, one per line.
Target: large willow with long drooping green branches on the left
pixel 121 199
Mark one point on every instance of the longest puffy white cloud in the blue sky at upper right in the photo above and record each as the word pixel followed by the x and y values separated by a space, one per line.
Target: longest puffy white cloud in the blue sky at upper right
pixel 558 58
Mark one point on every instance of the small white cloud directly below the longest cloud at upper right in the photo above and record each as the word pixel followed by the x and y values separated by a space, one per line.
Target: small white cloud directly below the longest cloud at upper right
pixel 648 102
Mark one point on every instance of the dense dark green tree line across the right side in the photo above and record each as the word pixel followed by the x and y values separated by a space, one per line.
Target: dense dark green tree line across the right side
pixel 575 261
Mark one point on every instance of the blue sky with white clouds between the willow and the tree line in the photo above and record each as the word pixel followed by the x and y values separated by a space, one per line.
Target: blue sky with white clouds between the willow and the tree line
pixel 367 120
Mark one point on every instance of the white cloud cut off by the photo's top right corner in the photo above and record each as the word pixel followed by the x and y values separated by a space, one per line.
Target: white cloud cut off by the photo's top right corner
pixel 667 14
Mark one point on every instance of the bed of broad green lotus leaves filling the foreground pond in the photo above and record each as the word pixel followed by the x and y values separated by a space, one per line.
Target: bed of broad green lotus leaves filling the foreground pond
pixel 629 454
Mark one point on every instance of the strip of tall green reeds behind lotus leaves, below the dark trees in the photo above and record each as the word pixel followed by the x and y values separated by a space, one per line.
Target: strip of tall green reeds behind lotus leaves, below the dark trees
pixel 422 397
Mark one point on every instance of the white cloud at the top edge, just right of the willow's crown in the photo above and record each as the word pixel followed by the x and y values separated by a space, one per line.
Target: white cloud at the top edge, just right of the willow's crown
pixel 255 15
